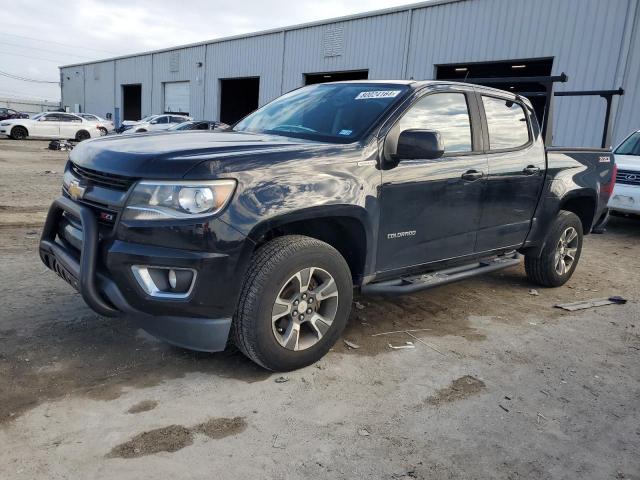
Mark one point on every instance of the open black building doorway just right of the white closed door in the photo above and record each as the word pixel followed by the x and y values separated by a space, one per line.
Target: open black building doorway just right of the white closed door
pixel 238 98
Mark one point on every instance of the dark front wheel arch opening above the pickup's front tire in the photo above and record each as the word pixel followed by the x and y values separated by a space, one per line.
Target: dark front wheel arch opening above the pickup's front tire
pixel 343 227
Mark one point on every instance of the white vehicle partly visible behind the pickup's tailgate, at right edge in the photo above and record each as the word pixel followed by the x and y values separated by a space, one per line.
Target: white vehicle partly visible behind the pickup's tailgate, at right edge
pixel 626 193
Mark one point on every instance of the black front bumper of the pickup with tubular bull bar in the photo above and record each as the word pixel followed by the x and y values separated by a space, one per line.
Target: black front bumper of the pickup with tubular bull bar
pixel 103 280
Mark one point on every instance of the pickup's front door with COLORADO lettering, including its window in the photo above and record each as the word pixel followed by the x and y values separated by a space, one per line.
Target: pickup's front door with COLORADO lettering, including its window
pixel 430 209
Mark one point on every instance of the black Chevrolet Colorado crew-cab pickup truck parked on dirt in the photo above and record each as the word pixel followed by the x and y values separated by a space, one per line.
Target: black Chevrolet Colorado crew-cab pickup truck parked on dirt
pixel 260 234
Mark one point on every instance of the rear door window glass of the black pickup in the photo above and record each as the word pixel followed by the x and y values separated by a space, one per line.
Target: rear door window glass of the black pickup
pixel 506 122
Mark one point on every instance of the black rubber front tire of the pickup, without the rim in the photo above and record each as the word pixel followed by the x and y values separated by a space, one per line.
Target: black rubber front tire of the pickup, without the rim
pixel 271 267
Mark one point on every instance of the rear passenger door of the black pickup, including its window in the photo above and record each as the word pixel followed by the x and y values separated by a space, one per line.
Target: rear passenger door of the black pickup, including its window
pixel 517 165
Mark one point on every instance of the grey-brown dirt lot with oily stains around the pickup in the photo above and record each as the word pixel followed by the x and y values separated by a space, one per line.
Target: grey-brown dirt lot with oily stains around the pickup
pixel 500 383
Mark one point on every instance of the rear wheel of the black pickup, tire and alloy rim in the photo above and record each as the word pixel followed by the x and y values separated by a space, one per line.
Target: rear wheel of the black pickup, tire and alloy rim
pixel 561 252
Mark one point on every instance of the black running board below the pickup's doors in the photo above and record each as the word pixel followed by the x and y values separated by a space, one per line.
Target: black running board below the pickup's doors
pixel 416 283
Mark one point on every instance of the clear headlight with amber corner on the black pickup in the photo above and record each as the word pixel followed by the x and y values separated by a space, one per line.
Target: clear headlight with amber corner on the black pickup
pixel 166 200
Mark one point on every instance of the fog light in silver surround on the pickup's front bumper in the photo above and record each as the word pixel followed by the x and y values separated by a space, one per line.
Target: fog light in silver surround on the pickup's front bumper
pixel 165 282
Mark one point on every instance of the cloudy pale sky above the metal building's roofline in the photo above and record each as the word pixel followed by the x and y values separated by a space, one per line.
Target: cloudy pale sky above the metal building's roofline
pixel 37 36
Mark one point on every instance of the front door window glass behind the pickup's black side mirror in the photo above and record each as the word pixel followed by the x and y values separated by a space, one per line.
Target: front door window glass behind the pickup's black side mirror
pixel 447 113
